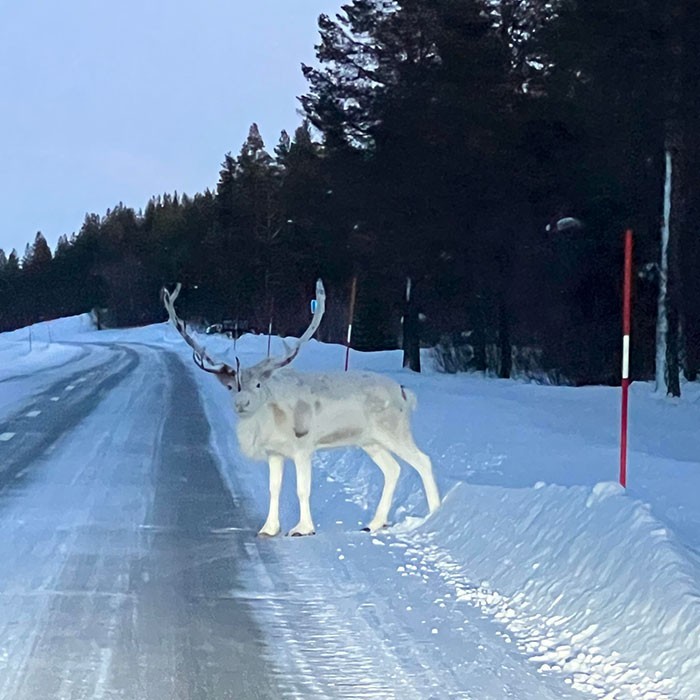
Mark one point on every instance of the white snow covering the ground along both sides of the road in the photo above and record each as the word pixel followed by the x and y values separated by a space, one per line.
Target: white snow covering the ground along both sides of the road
pixel 536 553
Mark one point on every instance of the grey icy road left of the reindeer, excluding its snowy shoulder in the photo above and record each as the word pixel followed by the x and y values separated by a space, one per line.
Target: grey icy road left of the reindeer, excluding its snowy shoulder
pixel 113 582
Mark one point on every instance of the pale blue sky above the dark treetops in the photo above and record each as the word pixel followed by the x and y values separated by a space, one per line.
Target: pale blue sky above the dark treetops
pixel 107 101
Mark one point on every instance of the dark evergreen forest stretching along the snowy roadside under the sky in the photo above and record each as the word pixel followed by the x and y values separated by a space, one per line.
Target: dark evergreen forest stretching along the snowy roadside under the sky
pixel 491 151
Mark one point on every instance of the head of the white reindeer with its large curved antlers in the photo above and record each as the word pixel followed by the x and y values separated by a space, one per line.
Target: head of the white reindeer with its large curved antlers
pixel 249 384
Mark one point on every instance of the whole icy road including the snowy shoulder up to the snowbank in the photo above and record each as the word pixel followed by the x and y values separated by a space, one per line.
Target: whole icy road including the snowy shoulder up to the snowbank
pixel 130 570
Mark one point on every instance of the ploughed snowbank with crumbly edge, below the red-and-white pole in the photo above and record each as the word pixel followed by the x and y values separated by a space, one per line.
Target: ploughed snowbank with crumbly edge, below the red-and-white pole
pixel 587 581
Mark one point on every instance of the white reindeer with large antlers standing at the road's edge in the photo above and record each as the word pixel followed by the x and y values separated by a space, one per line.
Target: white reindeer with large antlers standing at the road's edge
pixel 287 414
